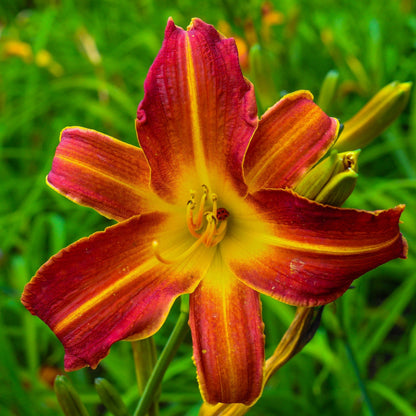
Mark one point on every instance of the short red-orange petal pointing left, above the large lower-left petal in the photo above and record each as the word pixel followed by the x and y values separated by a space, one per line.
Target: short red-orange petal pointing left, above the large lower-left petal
pixel 100 172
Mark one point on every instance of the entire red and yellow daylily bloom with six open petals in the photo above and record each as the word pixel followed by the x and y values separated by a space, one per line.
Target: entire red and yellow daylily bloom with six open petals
pixel 205 207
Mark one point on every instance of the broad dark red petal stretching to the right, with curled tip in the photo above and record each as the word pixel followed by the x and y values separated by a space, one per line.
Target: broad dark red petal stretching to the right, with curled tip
pixel 307 254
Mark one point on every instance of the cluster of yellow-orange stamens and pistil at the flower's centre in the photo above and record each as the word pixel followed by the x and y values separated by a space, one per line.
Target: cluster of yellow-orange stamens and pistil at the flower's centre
pixel 206 222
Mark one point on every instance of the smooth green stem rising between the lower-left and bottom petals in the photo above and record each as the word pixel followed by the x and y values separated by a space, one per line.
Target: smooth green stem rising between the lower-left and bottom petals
pixel 164 360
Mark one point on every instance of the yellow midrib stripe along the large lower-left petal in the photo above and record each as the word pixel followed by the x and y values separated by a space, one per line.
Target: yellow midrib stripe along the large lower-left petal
pixel 108 291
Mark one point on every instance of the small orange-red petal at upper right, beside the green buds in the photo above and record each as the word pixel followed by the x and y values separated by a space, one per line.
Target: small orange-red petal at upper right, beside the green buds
pixel 292 136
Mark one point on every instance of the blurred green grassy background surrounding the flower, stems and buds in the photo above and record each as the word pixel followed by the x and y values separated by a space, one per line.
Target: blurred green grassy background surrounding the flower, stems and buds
pixel 83 63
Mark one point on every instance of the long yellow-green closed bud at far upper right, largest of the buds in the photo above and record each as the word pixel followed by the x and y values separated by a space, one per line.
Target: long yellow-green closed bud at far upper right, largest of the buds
pixel 375 116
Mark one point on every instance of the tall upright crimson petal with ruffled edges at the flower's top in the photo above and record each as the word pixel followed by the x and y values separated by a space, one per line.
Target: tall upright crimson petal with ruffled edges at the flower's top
pixel 198 112
